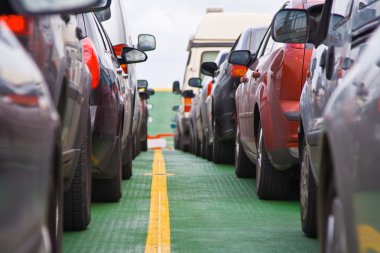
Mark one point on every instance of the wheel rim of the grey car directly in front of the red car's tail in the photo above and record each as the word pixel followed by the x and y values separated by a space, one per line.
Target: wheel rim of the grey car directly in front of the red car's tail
pixel 304 184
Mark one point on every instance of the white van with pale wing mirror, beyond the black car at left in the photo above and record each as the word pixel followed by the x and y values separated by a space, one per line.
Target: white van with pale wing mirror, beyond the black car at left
pixel 116 24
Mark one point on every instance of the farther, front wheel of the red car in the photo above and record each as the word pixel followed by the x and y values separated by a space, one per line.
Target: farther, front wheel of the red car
pixel 244 168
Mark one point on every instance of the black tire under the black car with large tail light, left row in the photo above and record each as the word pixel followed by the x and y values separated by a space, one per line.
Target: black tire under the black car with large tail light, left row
pixel 109 190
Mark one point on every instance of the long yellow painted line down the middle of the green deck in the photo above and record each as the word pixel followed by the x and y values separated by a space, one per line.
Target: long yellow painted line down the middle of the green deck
pixel 158 239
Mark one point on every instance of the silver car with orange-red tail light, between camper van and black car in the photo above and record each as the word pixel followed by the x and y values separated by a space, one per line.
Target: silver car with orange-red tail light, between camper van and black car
pixel 198 113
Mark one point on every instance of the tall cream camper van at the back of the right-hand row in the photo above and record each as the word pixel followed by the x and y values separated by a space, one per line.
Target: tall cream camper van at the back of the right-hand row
pixel 205 46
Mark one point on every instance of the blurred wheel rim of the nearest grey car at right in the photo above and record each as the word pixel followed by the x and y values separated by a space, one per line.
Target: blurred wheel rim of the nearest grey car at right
pixel 335 229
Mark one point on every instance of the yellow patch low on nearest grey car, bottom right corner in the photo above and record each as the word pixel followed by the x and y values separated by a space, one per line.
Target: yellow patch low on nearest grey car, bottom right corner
pixel 369 239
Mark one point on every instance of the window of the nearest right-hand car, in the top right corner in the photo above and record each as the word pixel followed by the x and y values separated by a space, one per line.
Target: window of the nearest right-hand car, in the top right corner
pixel 367 11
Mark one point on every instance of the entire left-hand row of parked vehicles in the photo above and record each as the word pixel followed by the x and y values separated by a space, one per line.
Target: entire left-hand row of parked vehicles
pixel 72 115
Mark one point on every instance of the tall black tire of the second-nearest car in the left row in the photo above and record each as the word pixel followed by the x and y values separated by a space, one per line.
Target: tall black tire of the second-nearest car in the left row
pixel 77 199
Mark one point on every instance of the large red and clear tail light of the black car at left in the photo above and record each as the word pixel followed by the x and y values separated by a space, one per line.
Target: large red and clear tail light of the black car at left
pixel 92 61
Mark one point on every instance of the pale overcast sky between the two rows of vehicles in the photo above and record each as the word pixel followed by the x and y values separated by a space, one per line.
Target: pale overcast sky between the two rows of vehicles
pixel 173 22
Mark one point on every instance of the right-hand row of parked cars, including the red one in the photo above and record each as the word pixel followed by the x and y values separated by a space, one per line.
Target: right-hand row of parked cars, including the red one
pixel 305 115
